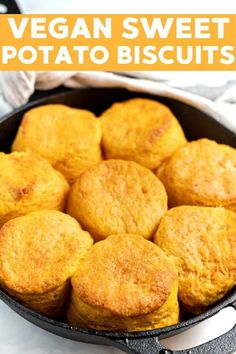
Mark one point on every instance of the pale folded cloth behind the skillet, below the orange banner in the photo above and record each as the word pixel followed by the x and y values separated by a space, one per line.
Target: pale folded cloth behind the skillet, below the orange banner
pixel 16 87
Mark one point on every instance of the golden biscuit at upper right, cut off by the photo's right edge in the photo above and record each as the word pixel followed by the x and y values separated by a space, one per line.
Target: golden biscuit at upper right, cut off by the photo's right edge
pixel 201 173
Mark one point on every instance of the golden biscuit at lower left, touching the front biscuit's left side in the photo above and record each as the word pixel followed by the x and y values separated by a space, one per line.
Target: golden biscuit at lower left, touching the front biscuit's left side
pixel 39 252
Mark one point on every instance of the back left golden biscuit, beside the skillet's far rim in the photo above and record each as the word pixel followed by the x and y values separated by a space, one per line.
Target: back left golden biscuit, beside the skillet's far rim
pixel 68 138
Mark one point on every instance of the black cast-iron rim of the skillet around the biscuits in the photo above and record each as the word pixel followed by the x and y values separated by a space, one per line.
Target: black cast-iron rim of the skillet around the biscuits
pixel 161 332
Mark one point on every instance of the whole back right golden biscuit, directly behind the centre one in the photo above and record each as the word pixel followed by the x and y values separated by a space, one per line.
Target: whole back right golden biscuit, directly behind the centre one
pixel 141 130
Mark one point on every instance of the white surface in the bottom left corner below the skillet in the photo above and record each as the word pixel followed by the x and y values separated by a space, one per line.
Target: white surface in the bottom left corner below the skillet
pixel 18 336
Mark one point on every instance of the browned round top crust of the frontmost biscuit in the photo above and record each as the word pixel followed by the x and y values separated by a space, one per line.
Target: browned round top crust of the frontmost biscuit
pixel 126 275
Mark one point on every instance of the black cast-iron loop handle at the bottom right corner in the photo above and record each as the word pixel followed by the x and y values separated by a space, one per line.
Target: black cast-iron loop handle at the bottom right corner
pixel 225 344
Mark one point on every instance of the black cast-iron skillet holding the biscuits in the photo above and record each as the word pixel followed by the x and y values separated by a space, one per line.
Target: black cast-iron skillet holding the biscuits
pixel 196 124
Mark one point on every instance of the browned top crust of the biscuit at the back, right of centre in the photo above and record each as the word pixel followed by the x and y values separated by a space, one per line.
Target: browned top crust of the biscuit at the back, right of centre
pixel 135 125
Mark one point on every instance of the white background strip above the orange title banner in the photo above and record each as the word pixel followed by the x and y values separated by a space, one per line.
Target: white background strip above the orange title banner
pixel 129 6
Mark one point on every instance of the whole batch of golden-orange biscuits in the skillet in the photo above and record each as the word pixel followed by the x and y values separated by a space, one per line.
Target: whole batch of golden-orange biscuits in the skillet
pixel 116 222
